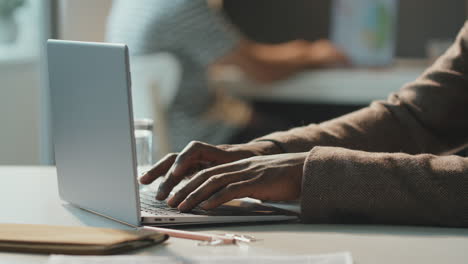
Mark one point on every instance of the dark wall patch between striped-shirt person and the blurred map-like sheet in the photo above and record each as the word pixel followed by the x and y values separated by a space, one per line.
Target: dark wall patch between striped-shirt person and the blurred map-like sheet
pixel 274 21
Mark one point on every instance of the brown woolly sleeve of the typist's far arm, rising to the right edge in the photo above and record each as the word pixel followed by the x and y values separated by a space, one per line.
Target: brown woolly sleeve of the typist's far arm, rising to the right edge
pixel 429 115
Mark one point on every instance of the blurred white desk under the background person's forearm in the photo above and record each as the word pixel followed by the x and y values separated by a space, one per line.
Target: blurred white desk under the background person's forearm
pixel 358 86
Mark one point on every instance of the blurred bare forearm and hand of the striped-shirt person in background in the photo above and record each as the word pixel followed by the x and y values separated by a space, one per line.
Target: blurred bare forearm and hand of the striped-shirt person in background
pixel 266 63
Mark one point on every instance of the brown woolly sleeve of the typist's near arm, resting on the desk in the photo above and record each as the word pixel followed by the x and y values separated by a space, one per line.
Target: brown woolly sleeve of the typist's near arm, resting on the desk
pixel 350 186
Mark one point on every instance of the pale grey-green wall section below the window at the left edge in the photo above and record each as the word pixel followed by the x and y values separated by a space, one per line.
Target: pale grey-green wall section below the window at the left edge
pixel 19 113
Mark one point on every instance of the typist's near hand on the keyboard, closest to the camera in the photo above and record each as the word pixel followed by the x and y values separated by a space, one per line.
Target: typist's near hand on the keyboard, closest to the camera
pixel 272 177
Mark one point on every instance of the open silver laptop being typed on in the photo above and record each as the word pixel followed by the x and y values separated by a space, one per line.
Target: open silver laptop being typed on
pixel 92 125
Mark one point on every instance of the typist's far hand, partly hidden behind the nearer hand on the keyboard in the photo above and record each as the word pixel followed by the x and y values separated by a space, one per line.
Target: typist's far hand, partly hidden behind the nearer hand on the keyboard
pixel 197 156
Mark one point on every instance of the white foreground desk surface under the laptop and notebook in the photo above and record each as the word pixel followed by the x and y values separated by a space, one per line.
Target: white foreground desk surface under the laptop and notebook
pixel 29 195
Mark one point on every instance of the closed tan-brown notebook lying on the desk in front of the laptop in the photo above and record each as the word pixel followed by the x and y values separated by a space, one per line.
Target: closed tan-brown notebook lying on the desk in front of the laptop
pixel 74 240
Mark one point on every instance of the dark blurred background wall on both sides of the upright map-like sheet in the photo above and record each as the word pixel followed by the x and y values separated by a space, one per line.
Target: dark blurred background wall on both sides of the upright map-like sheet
pixel 276 21
